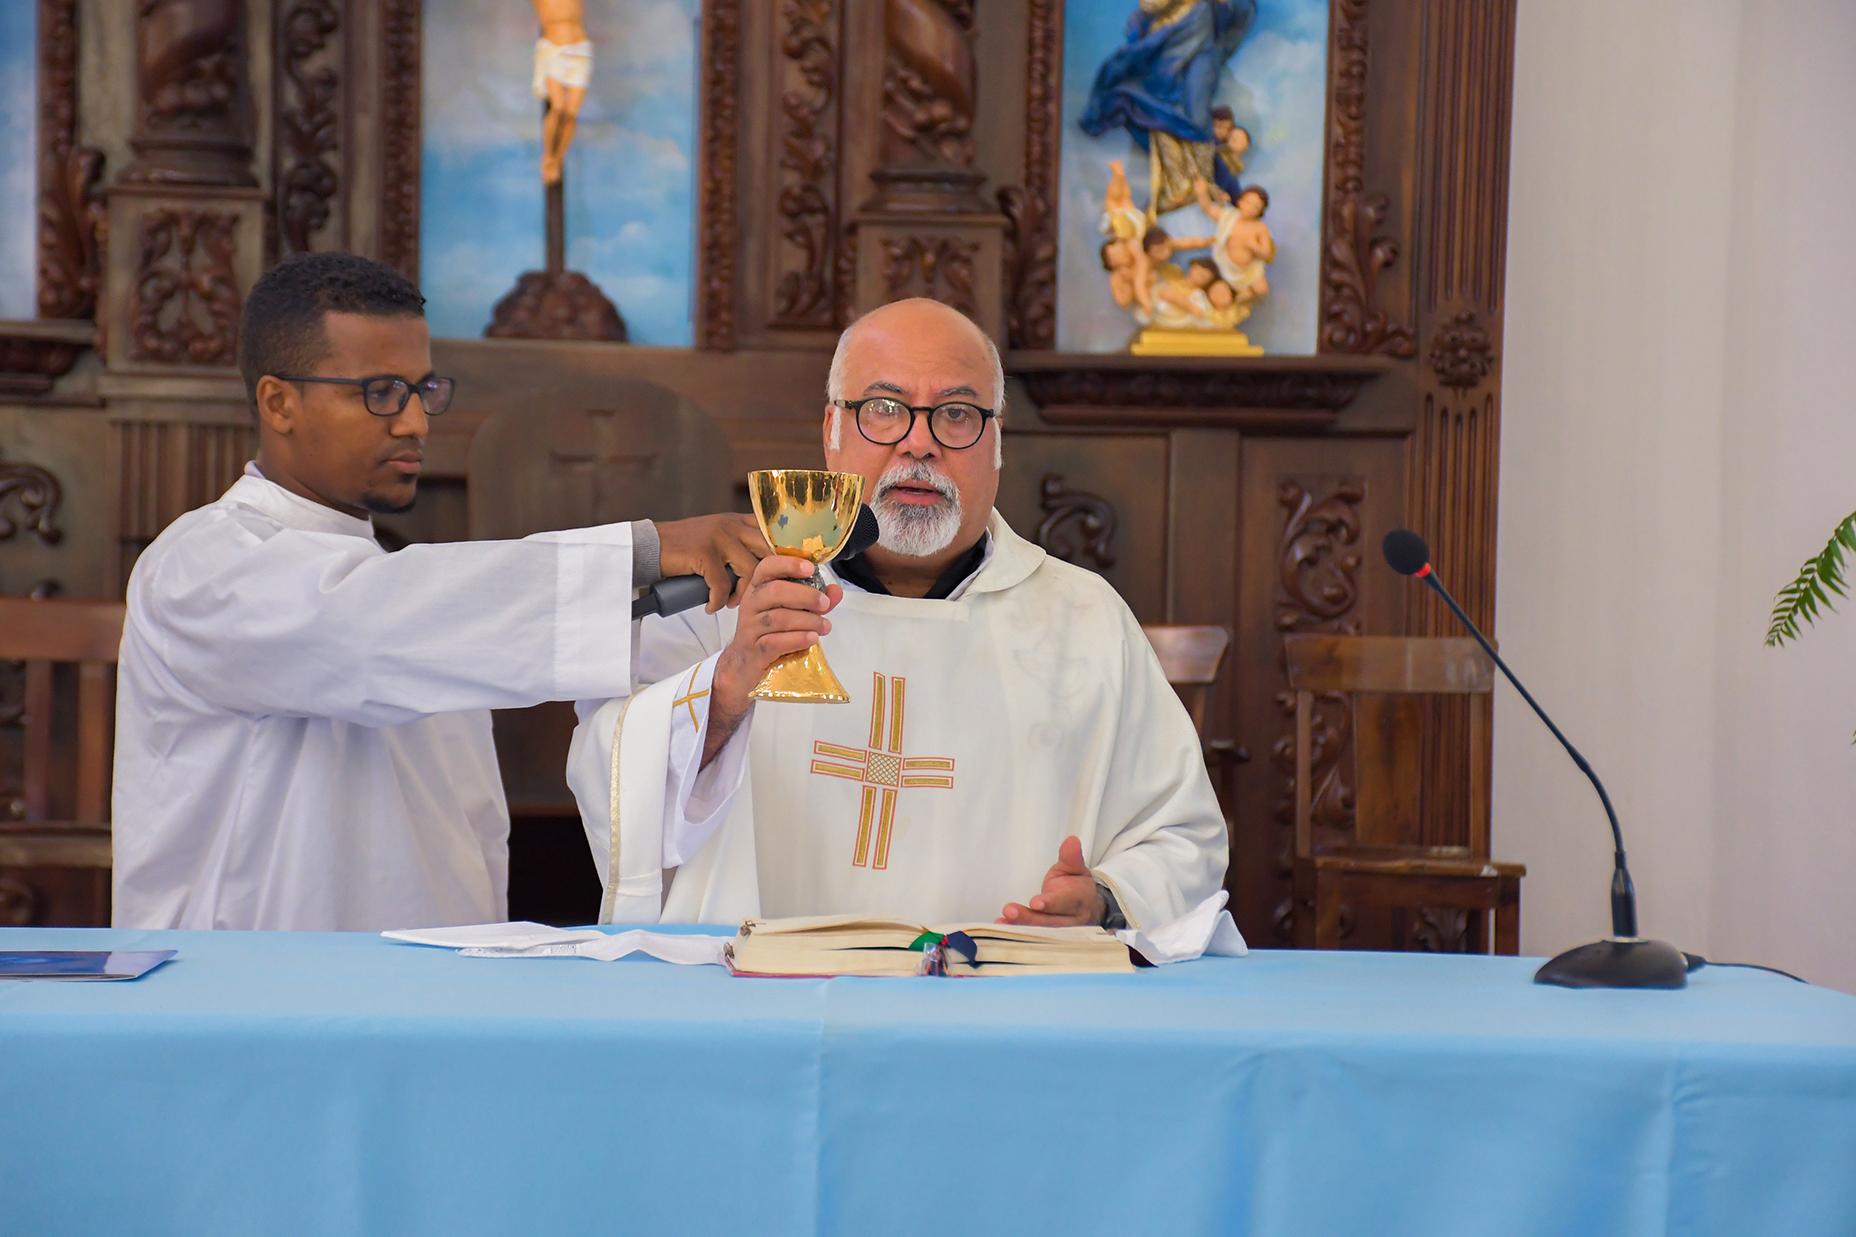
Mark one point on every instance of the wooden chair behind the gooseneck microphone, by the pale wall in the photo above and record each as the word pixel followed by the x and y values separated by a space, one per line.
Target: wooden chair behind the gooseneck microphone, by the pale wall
pixel 1384 866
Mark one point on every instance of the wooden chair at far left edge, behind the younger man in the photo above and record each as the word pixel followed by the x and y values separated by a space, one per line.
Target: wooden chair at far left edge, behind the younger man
pixel 57 842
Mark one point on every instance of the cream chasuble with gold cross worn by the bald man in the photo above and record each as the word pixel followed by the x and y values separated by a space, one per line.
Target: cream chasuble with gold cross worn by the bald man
pixel 983 731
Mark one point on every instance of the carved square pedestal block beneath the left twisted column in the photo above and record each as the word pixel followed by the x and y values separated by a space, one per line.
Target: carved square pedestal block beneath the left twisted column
pixel 187 304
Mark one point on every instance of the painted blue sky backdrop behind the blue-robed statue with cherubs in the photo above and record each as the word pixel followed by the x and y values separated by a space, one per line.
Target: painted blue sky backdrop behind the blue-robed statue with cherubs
pixel 1278 88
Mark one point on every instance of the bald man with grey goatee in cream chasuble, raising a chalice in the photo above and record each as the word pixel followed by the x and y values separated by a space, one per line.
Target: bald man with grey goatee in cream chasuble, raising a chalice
pixel 1012 748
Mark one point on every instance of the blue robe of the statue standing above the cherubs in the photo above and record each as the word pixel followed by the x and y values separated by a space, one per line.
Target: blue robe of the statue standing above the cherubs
pixel 1165 79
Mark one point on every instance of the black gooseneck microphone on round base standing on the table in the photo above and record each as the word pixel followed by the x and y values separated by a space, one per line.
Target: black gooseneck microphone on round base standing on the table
pixel 1621 961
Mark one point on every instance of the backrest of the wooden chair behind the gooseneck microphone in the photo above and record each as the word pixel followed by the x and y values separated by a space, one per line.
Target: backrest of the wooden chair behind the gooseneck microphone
pixel 1389 679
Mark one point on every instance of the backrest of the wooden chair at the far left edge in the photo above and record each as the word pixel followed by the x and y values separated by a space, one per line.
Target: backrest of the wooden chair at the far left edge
pixel 45 634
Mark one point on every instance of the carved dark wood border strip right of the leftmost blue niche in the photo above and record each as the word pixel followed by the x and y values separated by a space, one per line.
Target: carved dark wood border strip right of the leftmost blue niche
pixel 70 211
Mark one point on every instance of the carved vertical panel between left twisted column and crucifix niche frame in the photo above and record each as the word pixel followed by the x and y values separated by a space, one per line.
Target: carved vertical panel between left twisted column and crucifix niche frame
pixel 309 125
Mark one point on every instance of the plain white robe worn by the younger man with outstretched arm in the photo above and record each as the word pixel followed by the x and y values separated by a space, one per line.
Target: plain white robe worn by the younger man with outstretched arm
pixel 303 733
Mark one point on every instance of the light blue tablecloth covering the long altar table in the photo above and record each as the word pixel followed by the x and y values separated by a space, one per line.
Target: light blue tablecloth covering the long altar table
pixel 339 1084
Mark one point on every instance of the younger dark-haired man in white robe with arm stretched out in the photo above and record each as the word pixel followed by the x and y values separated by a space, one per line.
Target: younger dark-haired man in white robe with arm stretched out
pixel 303 733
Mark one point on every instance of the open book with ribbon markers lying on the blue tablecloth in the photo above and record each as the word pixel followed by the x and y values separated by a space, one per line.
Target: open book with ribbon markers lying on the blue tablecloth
pixel 866 946
